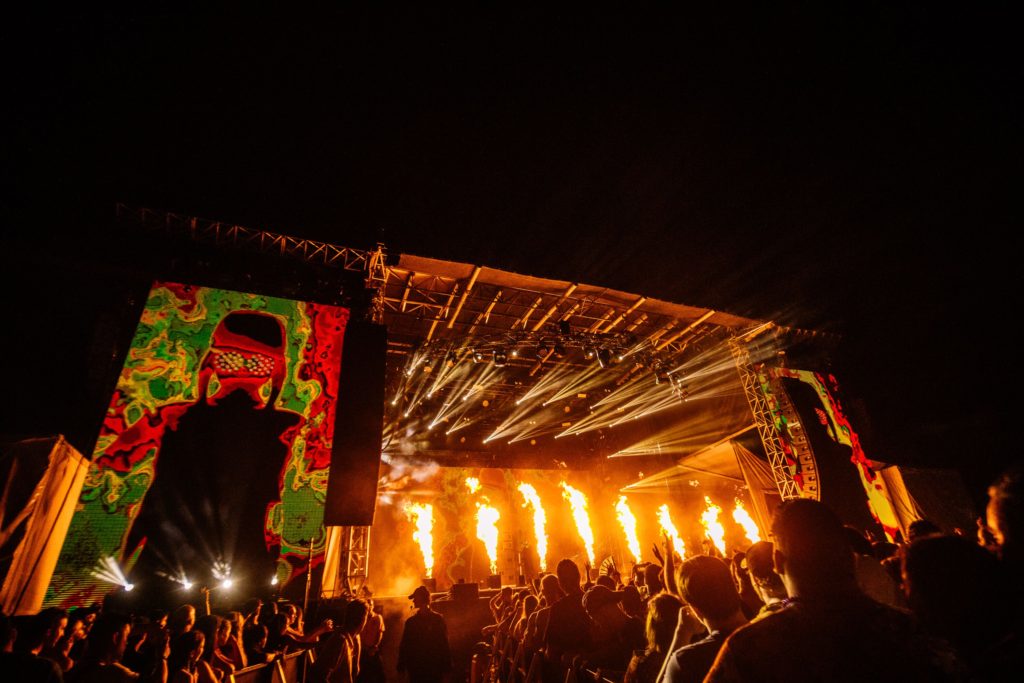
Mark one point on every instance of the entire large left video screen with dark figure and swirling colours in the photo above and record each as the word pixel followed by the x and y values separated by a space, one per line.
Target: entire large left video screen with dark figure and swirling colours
pixel 226 406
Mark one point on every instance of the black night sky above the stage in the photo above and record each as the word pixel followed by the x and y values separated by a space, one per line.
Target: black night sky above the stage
pixel 854 169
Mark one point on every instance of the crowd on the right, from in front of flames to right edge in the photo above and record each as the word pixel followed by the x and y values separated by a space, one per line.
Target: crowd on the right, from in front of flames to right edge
pixel 820 603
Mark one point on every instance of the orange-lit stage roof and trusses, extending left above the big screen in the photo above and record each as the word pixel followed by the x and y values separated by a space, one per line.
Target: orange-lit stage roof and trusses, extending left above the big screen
pixel 499 336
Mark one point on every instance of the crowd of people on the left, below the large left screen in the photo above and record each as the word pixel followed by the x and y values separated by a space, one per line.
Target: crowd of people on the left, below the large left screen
pixel 189 645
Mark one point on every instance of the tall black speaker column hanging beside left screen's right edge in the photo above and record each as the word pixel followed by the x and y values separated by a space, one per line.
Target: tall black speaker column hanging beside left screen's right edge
pixel 356 458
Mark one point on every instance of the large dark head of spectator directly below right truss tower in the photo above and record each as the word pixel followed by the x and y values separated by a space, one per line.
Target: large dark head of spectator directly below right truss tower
pixel 813 553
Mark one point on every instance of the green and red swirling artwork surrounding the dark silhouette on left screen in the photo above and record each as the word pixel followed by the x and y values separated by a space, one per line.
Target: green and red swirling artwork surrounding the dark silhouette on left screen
pixel 191 350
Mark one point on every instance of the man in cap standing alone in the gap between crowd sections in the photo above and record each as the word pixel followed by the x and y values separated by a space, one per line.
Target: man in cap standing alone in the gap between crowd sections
pixel 424 653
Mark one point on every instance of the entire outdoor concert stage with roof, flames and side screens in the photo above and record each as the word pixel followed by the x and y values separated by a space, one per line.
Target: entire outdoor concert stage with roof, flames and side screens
pixel 285 406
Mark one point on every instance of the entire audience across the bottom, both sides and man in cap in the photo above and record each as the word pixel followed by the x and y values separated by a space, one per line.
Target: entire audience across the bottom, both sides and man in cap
pixel 819 603
